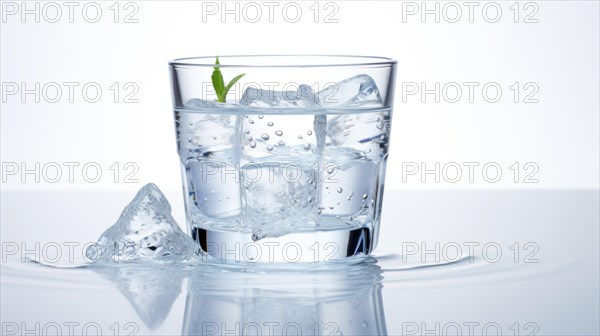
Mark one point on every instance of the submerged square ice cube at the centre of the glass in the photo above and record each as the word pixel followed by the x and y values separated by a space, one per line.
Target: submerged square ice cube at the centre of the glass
pixel 278 197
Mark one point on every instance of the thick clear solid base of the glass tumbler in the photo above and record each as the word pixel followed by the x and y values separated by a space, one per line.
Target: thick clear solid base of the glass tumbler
pixel 333 246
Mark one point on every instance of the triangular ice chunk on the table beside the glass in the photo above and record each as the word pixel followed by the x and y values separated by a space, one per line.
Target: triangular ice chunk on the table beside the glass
pixel 145 232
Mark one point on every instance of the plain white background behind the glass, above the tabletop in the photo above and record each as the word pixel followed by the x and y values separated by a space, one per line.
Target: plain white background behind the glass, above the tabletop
pixel 553 45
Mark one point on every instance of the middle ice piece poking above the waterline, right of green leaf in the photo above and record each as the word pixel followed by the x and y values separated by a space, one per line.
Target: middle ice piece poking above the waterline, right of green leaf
pixel 304 97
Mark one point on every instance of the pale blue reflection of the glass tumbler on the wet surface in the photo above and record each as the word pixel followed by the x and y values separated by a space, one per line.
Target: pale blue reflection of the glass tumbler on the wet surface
pixel 345 300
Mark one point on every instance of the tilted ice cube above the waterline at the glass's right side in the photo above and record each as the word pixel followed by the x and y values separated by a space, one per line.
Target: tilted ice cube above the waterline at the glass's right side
pixel 359 90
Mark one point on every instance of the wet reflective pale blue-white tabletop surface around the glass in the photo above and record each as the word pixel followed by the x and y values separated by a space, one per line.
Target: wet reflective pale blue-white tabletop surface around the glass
pixel 448 262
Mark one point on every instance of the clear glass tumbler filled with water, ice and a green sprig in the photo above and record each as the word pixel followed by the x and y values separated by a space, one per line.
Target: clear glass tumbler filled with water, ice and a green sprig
pixel 283 156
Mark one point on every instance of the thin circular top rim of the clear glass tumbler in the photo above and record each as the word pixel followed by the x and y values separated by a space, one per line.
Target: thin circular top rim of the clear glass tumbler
pixel 208 61
